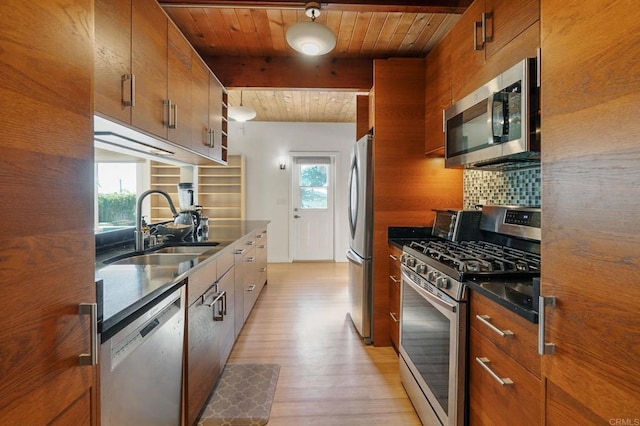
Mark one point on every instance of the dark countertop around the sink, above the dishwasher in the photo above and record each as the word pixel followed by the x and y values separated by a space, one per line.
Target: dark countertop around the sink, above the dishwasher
pixel 125 289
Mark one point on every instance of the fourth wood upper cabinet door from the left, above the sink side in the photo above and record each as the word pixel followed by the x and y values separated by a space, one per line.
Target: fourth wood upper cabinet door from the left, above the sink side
pixel 200 106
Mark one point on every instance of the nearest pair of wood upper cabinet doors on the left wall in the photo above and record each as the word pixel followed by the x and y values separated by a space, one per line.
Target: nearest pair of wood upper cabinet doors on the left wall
pixel 131 64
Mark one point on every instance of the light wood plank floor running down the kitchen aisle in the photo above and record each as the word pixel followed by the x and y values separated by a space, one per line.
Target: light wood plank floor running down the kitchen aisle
pixel 327 375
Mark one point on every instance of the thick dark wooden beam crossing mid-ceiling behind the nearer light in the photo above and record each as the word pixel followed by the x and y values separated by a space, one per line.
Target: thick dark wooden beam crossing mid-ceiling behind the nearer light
pixel 353 74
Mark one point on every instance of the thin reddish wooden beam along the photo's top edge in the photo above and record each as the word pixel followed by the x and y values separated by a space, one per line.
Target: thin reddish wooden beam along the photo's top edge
pixel 415 6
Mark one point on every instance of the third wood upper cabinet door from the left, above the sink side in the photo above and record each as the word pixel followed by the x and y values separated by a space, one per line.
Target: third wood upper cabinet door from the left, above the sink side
pixel 179 86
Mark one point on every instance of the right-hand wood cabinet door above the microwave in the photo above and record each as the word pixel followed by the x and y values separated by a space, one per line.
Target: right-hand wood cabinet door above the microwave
pixel 507 19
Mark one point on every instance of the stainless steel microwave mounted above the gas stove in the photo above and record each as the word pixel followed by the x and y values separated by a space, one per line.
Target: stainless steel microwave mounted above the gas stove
pixel 498 125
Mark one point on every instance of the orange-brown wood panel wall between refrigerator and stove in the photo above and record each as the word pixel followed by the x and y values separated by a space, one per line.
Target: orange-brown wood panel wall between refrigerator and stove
pixel 407 185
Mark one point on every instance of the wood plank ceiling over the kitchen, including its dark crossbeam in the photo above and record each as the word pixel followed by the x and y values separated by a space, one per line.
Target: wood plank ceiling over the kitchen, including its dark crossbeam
pixel 244 44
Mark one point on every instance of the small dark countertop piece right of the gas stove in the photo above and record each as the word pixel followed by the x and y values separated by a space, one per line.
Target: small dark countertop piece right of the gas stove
pixel 516 294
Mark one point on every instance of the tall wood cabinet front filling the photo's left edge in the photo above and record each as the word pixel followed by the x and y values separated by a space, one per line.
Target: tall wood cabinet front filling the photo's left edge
pixel 47 267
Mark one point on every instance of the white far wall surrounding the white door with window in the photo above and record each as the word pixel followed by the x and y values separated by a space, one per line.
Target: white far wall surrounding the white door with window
pixel 268 189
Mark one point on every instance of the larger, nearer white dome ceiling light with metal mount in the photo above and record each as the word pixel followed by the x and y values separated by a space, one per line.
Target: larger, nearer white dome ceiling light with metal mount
pixel 311 38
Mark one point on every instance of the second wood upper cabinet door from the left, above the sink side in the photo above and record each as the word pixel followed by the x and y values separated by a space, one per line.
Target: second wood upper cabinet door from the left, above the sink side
pixel 149 65
